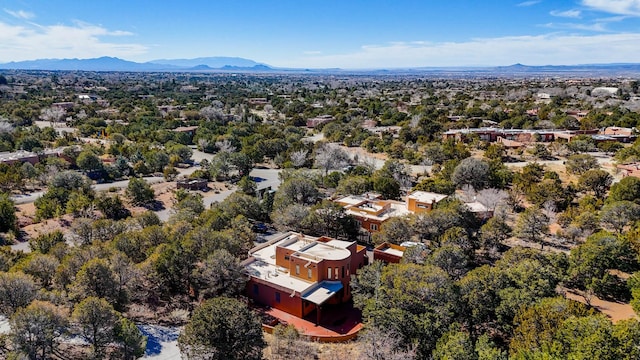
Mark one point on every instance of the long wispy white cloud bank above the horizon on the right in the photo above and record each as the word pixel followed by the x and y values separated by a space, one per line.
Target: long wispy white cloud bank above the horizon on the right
pixel 532 50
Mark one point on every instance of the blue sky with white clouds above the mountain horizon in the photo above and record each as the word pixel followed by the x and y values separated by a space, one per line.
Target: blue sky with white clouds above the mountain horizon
pixel 327 33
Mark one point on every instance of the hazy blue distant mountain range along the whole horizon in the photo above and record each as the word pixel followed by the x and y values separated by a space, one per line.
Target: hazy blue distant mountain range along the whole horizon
pixel 236 64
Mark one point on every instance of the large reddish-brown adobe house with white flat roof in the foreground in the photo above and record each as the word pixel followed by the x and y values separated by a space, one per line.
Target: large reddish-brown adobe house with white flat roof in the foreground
pixel 302 275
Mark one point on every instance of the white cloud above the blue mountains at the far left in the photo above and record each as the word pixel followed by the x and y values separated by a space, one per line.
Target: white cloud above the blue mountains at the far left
pixel 79 40
